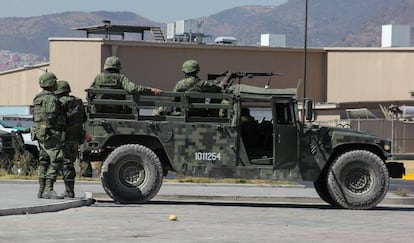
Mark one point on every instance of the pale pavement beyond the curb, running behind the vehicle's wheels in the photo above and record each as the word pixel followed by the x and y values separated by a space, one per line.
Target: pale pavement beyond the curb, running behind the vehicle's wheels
pixel 19 197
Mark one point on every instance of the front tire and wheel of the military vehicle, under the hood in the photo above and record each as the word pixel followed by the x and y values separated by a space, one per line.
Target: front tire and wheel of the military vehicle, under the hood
pixel 358 180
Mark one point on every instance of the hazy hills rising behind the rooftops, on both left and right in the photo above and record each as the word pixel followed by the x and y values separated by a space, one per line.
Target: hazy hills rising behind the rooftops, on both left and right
pixel 331 23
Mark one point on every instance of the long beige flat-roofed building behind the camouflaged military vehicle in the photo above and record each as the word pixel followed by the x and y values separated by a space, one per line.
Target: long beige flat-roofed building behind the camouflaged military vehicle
pixel 337 78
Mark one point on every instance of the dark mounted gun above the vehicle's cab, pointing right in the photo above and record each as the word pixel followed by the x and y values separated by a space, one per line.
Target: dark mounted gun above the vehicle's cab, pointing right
pixel 230 77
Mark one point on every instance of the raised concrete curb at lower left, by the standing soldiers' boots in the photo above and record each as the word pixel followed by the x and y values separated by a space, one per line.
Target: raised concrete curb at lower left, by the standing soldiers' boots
pixel 53 207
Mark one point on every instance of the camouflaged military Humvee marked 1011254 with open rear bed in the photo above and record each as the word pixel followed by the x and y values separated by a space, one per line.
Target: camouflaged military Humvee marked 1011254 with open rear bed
pixel 246 132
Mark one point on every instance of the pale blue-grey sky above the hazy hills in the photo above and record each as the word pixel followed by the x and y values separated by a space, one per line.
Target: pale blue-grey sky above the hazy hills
pixel 164 11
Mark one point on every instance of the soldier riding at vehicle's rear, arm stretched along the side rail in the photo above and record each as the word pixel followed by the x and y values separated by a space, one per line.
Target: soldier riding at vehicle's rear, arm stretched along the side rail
pixel 111 78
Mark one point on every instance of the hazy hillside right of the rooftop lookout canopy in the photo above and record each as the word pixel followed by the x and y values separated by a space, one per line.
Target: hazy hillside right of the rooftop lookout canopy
pixel 330 22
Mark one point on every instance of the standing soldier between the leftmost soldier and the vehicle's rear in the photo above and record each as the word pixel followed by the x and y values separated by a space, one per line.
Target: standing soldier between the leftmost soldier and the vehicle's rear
pixel 74 133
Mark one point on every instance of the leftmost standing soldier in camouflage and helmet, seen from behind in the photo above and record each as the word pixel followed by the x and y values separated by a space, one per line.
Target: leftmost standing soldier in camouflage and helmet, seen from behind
pixel 47 130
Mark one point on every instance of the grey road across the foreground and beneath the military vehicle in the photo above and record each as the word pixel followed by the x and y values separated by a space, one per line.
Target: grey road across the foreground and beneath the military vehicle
pixel 213 220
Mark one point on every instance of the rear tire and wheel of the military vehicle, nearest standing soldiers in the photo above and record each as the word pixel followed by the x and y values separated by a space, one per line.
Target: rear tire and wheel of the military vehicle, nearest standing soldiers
pixel 132 173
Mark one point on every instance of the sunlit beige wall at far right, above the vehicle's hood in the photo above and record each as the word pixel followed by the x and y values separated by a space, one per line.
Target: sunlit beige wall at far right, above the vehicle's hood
pixel 370 74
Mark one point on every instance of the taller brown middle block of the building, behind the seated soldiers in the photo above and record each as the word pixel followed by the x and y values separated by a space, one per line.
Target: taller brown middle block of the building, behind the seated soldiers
pixel 159 64
